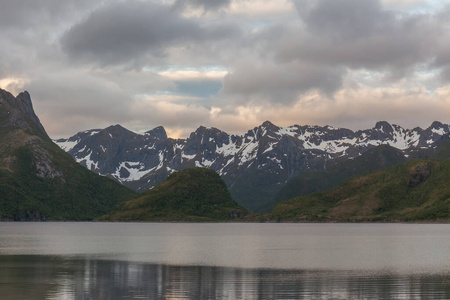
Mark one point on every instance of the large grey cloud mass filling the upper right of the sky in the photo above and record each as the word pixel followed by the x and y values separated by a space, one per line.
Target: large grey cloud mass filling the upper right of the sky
pixel 336 36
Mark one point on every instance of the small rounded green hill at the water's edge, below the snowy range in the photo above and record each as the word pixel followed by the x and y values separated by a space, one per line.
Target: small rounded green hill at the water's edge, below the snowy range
pixel 196 194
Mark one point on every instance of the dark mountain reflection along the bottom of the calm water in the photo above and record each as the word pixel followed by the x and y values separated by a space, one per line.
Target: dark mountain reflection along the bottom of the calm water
pixel 56 277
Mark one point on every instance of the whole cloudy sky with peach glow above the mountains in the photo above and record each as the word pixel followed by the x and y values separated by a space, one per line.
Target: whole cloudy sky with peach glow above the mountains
pixel 228 64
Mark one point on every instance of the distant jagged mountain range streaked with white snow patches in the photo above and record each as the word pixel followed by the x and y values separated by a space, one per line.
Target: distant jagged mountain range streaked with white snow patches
pixel 266 156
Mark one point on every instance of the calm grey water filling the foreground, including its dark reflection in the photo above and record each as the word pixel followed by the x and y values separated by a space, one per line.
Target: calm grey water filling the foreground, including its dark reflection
pixel 224 261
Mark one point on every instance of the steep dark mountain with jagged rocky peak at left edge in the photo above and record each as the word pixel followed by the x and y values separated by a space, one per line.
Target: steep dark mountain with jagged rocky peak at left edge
pixel 39 181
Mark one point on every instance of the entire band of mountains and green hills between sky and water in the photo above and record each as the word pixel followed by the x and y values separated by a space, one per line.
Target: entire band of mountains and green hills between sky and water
pixel 298 173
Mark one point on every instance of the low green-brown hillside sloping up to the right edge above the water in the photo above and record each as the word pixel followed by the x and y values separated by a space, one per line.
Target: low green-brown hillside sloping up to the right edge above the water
pixel 414 191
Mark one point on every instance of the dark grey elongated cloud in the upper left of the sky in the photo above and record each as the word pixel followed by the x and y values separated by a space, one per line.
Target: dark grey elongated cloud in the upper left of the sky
pixel 127 31
